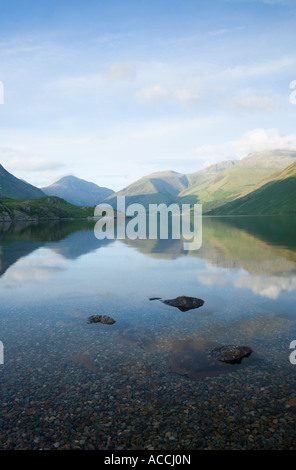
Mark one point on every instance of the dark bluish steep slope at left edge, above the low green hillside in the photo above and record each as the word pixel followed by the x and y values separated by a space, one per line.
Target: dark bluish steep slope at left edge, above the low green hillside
pixel 12 187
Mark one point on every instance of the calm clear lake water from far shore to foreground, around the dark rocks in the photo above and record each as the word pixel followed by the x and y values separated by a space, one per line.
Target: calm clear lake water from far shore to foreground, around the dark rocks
pixel 143 382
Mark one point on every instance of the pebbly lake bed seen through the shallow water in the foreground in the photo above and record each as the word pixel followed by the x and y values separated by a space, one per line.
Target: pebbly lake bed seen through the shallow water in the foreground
pixel 95 388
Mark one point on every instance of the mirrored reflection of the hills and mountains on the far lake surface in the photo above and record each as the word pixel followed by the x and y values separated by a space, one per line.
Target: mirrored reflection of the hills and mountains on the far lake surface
pixel 262 247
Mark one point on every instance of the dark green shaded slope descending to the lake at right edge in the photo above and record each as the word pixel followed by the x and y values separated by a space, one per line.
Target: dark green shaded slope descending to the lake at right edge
pixel 274 195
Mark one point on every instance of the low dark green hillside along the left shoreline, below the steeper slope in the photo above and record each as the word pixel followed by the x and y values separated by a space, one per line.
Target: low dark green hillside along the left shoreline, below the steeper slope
pixel 46 207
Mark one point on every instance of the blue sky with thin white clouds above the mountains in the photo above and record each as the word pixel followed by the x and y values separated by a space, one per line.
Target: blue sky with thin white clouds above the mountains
pixel 112 90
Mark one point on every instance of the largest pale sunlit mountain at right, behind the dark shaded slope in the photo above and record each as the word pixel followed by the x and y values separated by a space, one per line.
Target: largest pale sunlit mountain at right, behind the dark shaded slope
pixel 236 179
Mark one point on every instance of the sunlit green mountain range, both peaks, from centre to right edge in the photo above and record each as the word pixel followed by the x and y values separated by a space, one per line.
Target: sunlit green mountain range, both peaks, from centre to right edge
pixel 212 187
